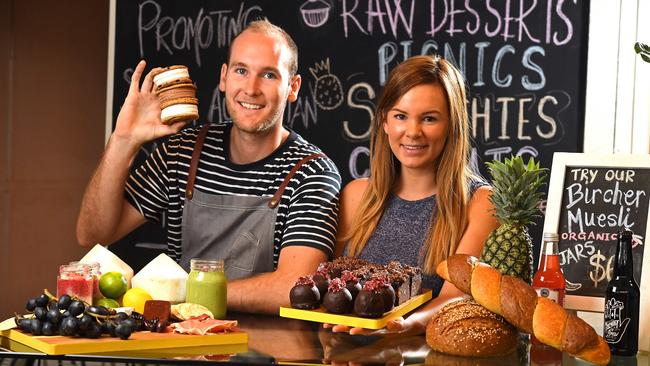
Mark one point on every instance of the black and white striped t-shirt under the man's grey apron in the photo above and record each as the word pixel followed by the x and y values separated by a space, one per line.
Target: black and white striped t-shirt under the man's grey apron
pixel 307 213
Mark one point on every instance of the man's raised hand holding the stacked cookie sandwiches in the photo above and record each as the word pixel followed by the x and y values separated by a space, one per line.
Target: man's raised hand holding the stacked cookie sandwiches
pixel 139 119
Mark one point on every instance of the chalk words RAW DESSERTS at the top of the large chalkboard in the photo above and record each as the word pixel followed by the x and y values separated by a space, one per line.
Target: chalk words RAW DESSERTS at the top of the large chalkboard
pixel 509 21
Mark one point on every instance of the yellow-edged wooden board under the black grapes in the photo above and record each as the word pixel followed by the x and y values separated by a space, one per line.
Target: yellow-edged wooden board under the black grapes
pixel 58 345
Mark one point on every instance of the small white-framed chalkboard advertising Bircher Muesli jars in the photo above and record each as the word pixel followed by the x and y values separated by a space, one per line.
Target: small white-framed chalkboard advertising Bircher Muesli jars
pixel 591 199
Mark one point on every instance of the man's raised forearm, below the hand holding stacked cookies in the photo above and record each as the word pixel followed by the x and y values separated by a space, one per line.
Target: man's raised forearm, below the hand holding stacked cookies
pixel 103 199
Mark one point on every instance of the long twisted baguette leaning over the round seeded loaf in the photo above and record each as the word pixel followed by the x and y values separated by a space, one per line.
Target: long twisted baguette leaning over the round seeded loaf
pixel 519 304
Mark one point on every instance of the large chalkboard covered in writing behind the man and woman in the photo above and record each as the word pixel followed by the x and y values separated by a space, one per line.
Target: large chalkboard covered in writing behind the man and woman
pixel 525 64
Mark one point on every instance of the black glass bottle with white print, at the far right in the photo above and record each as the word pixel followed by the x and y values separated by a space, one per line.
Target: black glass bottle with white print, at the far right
pixel 621 330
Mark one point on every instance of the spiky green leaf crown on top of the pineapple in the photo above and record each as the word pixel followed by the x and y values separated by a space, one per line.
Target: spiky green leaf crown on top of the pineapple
pixel 515 192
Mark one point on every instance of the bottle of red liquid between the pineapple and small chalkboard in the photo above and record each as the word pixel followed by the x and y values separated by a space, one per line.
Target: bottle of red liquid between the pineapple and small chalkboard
pixel 549 280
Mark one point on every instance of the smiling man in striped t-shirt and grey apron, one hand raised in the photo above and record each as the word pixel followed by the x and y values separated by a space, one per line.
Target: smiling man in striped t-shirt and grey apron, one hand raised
pixel 219 202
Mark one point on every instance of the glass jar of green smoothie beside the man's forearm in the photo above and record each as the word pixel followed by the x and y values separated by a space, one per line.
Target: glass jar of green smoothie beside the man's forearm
pixel 207 285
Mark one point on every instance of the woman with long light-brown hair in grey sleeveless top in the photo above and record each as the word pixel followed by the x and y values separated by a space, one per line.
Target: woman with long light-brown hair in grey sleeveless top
pixel 421 202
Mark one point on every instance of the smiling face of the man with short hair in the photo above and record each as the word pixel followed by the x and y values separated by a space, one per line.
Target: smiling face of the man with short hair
pixel 257 82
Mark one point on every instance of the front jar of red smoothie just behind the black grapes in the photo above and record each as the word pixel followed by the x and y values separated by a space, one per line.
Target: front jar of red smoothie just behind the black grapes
pixel 75 280
